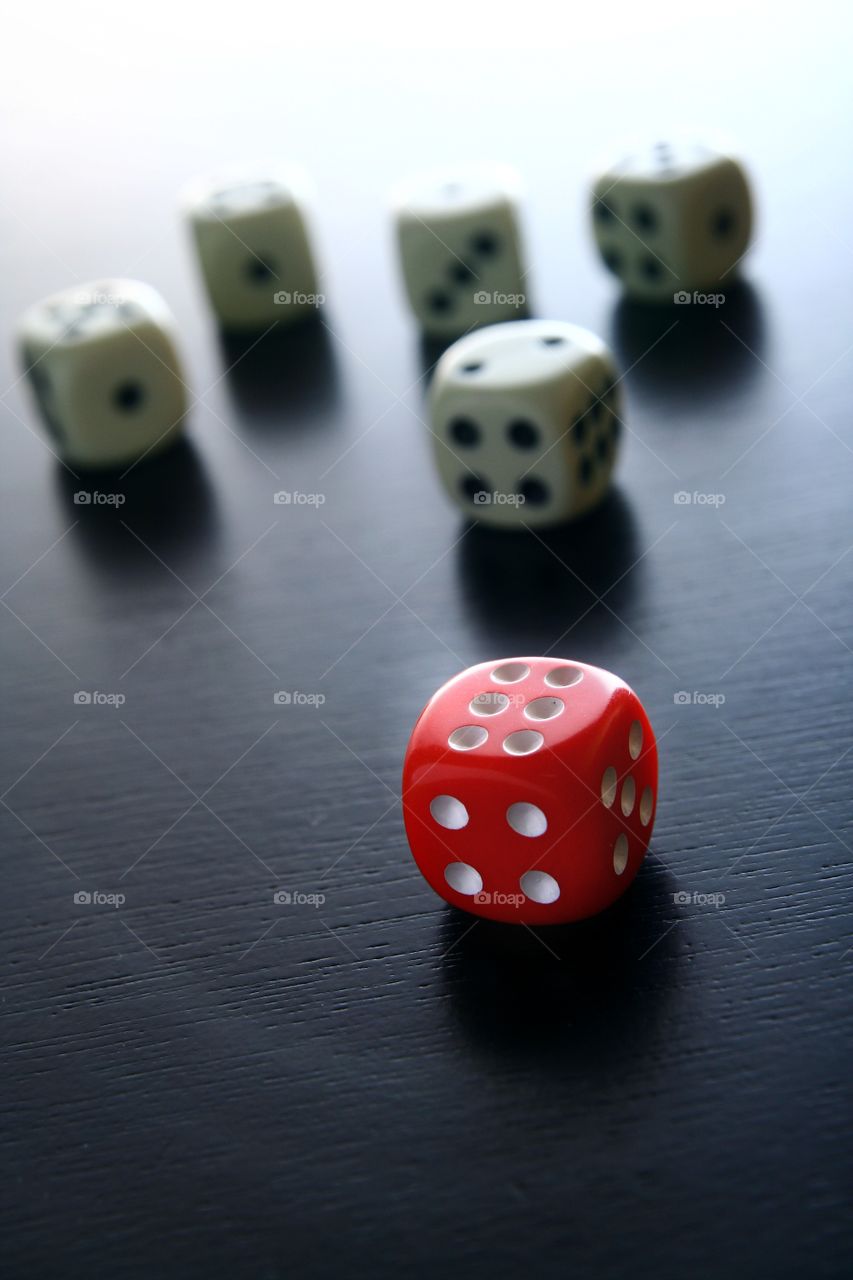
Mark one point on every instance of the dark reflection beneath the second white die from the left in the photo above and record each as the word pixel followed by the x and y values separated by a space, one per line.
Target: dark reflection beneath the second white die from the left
pixel 288 378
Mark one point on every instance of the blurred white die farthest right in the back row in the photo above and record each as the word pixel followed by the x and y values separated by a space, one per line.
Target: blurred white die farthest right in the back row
pixel 672 220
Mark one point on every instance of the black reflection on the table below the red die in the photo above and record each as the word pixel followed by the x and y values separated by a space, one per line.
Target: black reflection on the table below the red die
pixel 592 994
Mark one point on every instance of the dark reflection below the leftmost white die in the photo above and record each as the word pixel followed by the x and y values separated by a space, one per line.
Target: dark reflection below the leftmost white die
pixel 166 500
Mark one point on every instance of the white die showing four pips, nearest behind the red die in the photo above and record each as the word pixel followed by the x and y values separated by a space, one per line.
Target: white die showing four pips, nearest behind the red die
pixel 526 422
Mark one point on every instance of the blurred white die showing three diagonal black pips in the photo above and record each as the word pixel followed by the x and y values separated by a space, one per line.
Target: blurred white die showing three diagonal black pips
pixel 460 250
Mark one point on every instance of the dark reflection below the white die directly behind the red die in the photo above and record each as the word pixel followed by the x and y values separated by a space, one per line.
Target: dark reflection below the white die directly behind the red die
pixel 526 591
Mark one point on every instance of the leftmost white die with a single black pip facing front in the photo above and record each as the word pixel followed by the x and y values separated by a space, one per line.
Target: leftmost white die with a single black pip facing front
pixel 104 368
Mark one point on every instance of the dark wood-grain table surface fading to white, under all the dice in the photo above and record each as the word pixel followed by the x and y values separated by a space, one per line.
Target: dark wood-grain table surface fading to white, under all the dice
pixel 200 1082
